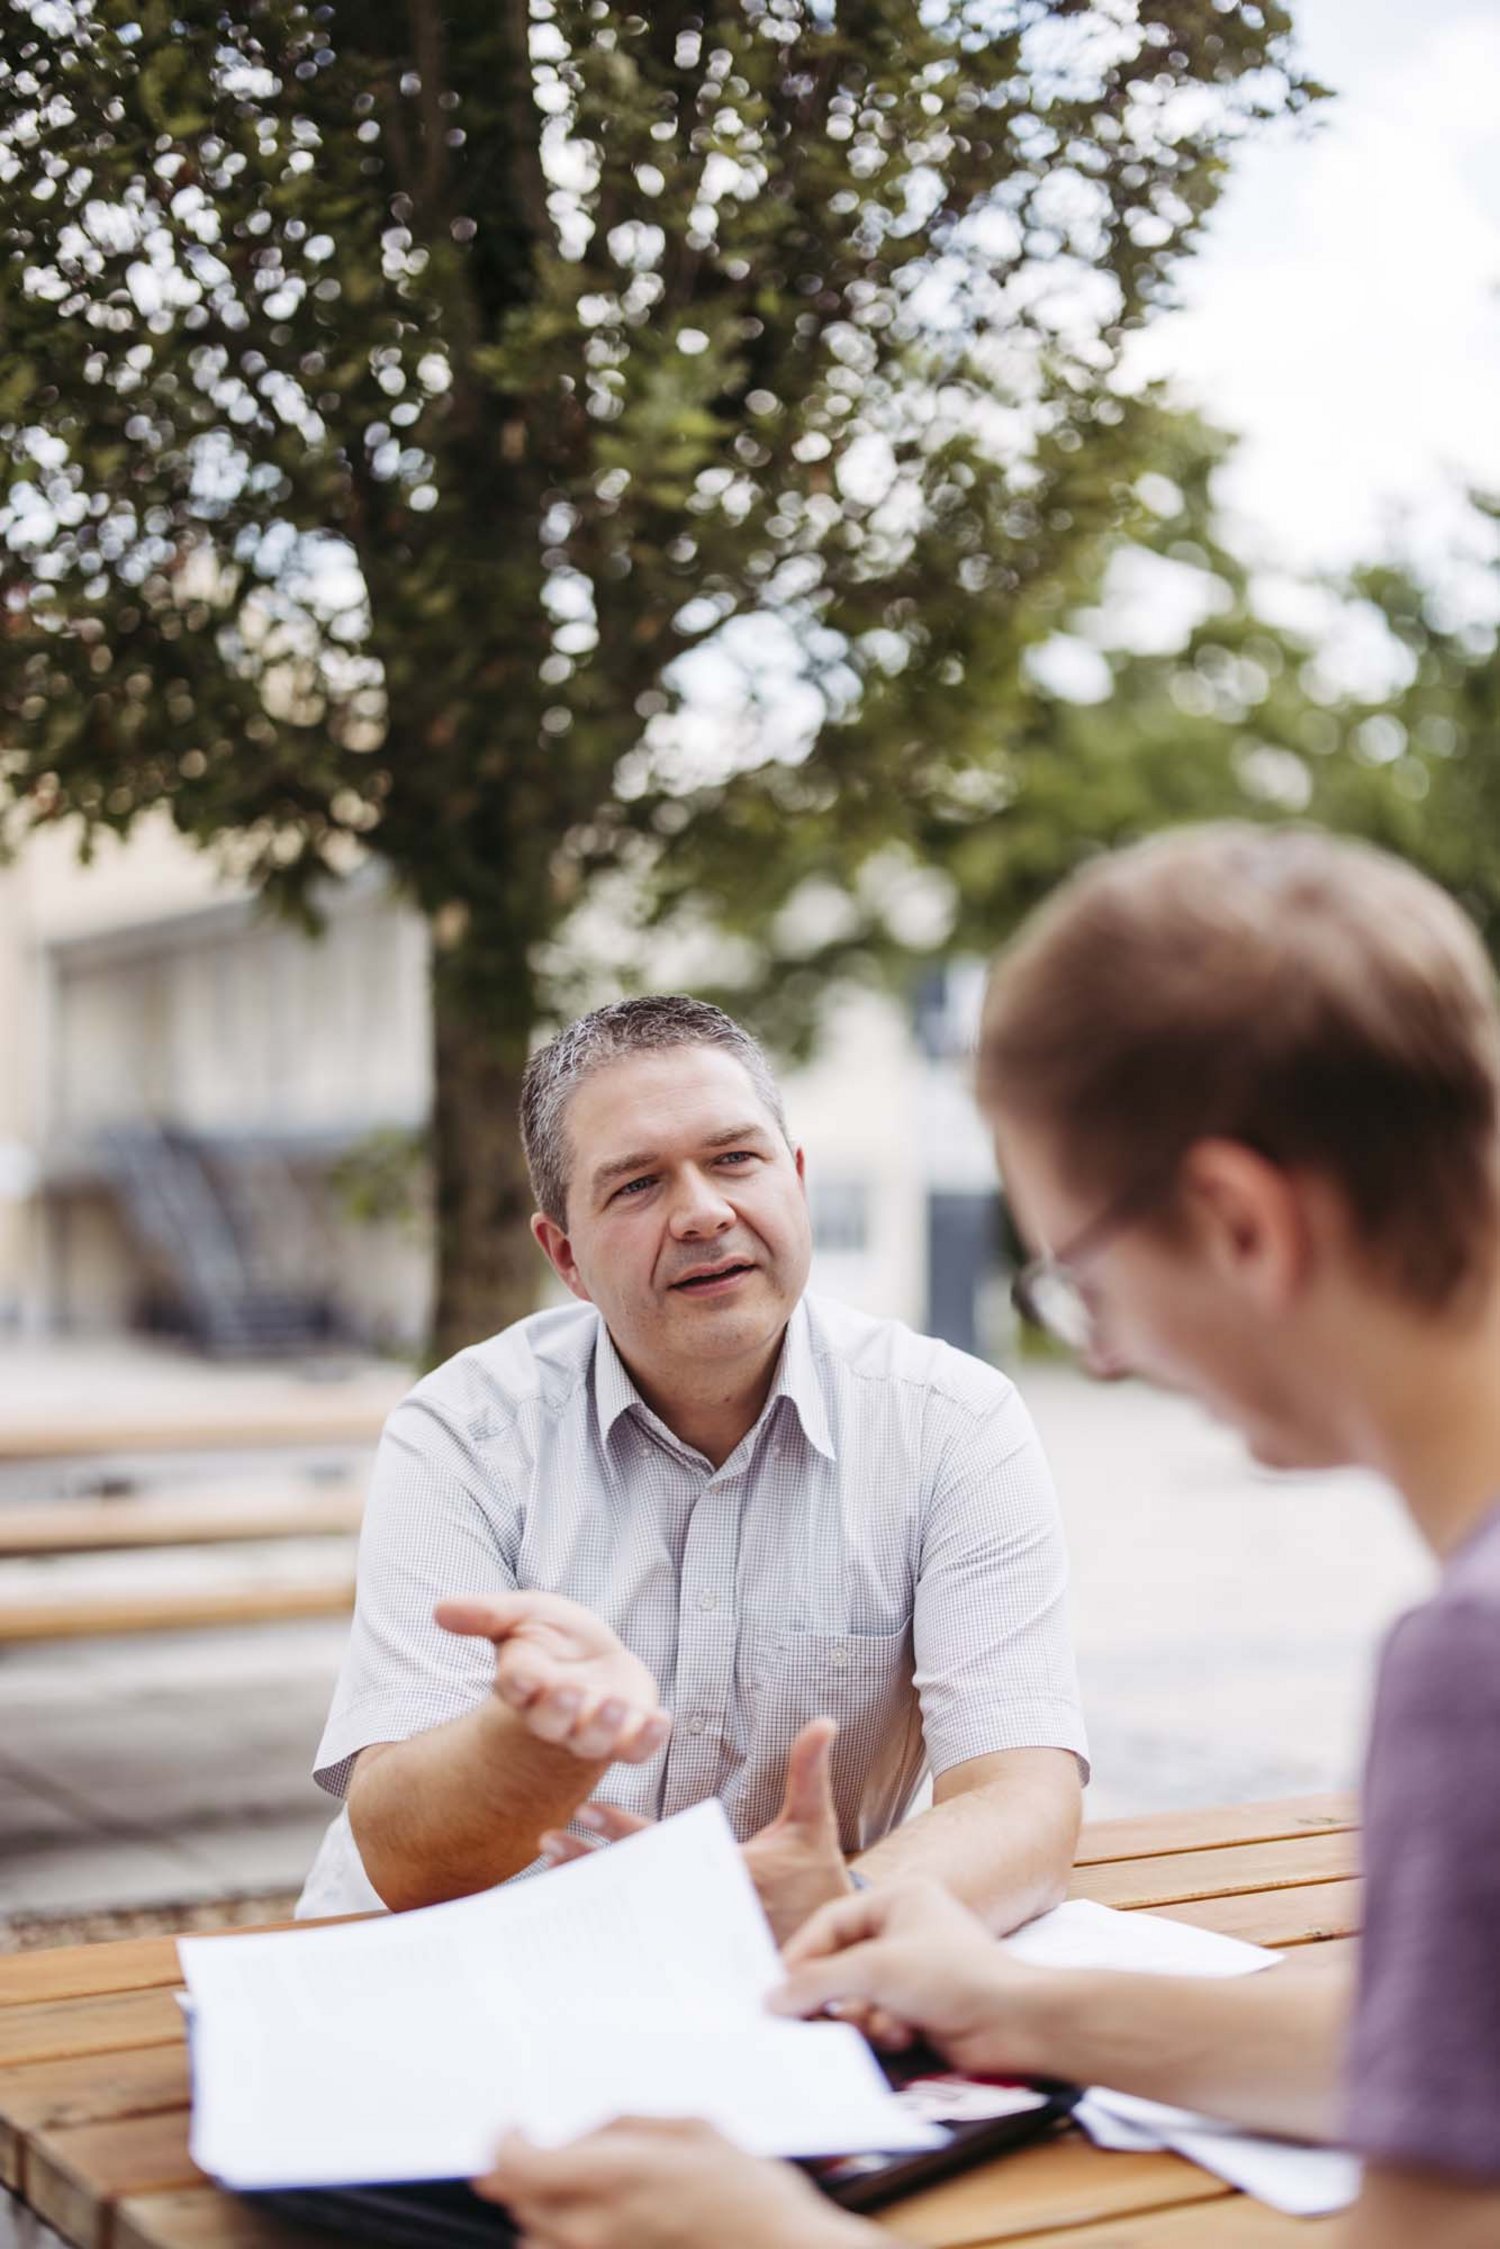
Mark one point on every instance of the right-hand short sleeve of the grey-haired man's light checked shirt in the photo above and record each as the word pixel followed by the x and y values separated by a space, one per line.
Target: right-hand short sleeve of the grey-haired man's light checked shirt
pixel 991 1634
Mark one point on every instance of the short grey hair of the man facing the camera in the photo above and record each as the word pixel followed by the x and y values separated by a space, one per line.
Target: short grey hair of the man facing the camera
pixel 629 1027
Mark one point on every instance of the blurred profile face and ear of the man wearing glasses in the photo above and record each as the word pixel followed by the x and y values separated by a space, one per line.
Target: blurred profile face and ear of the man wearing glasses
pixel 1220 1308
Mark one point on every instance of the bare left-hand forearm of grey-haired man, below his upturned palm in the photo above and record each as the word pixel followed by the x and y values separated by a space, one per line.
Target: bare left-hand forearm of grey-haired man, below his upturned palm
pixel 462 1807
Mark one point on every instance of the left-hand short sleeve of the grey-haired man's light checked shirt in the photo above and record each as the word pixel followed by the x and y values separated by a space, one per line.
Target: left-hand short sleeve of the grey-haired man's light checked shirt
pixel 440 1521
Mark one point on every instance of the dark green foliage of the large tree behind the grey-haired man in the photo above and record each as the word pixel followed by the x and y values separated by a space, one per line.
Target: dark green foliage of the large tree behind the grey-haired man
pixel 397 395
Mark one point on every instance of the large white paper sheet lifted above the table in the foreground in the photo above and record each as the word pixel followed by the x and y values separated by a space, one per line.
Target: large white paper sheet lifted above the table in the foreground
pixel 633 1982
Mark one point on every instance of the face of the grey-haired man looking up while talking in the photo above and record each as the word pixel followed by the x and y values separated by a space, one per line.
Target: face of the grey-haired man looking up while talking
pixel 687 1216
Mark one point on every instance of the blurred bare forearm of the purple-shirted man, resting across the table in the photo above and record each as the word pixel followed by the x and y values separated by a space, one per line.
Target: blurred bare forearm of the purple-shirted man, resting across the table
pixel 1258 2050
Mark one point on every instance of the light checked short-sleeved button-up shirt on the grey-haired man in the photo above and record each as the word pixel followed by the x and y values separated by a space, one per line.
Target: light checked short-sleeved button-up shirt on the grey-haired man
pixel 880 1548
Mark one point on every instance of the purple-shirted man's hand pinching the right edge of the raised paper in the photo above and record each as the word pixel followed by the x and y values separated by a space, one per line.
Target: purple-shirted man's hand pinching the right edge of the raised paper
pixel 921 1960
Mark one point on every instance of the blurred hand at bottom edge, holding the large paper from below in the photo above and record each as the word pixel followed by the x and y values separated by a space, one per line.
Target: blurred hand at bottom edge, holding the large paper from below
pixel 653 2185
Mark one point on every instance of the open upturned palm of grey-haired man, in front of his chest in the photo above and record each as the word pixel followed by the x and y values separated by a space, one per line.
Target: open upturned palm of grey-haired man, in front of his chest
pixel 566 1674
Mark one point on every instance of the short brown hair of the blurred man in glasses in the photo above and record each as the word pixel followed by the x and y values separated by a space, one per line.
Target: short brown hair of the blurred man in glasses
pixel 1276 986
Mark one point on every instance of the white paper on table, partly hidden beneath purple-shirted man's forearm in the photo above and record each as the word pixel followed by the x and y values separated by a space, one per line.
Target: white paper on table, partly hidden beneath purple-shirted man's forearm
pixel 1305 2183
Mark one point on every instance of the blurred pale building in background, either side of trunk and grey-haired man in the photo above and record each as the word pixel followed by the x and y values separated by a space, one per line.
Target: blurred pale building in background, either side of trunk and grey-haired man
pixel 192 1094
